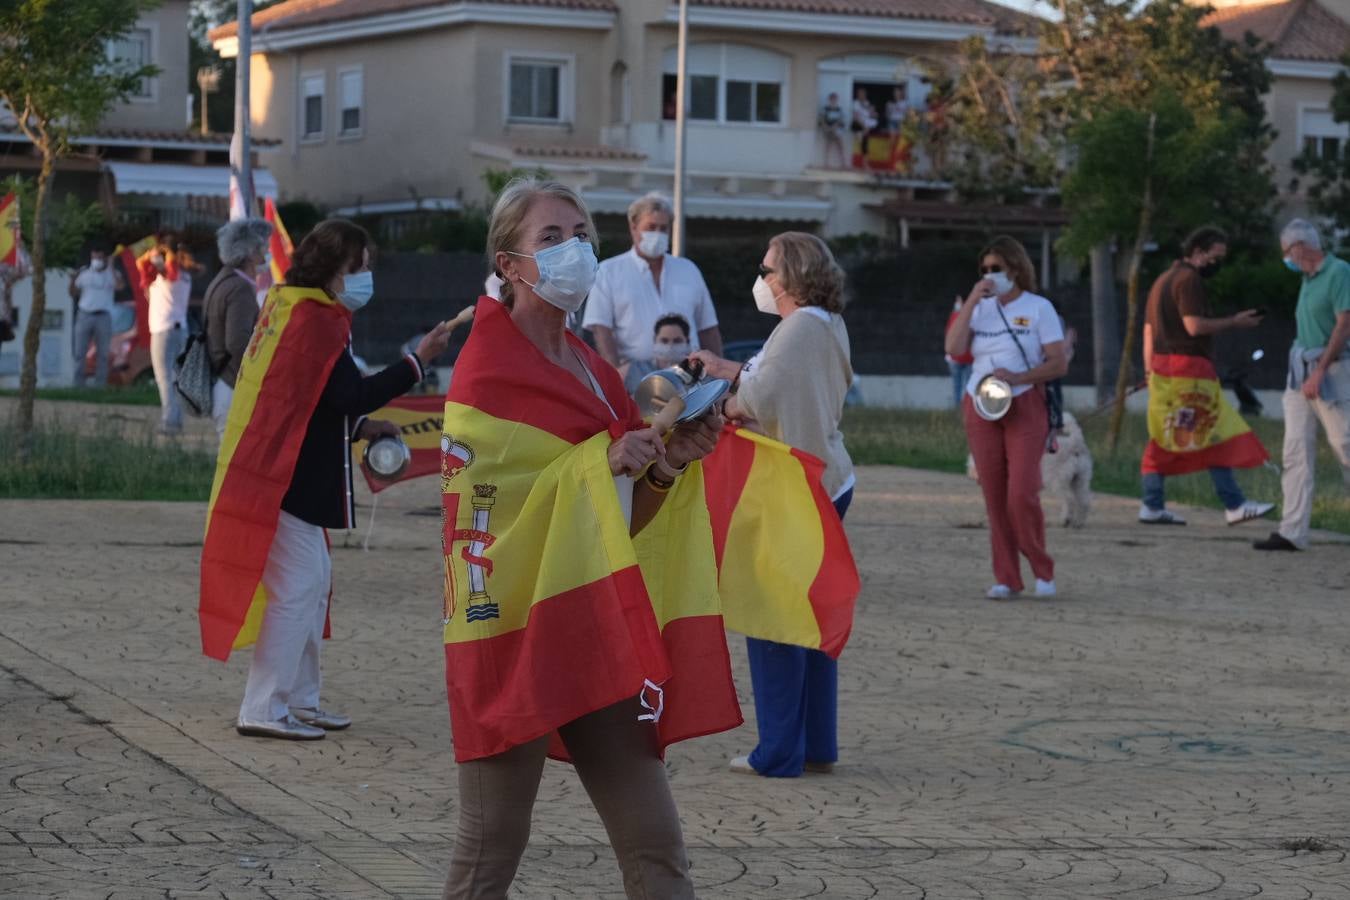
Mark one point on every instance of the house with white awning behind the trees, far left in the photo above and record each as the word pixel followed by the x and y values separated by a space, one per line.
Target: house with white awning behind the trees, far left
pixel 144 161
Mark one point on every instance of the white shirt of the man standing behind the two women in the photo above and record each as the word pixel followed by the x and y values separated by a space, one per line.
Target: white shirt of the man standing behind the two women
pixel 627 300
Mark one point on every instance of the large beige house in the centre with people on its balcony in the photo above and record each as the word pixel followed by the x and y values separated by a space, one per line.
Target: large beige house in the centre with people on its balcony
pixel 387 106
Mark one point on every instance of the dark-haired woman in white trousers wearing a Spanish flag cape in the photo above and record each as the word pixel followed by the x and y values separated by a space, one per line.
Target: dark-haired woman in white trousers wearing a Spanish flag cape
pixel 284 477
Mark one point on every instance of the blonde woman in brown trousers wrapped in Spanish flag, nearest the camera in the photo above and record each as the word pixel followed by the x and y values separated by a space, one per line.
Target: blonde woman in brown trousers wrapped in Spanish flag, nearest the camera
pixel 578 623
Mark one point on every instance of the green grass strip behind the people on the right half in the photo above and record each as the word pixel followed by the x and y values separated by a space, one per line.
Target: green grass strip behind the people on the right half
pixel 936 441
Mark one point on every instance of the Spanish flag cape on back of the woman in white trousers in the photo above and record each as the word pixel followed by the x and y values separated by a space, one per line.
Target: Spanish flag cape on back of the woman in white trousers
pixel 299 338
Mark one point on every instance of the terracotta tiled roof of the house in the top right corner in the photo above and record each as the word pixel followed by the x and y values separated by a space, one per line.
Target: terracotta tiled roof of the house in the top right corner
pixel 1297 29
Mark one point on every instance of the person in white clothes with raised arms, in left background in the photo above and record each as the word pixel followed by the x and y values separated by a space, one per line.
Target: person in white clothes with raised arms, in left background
pixel 168 289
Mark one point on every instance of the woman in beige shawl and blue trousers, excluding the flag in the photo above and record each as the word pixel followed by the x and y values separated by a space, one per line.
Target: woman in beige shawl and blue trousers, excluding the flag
pixel 794 392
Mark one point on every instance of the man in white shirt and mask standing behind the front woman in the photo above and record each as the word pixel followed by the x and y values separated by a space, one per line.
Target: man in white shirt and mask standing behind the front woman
pixel 635 289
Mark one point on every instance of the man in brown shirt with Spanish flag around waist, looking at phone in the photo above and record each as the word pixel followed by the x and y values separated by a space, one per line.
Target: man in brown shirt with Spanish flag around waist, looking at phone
pixel 1191 427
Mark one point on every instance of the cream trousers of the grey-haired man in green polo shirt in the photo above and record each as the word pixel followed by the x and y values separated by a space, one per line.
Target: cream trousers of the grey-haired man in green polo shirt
pixel 1301 453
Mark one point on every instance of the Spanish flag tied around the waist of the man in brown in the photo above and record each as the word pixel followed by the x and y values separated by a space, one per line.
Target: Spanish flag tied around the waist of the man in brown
pixel 1191 426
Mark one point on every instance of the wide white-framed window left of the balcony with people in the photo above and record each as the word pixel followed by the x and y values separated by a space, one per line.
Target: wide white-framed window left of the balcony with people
pixel 730 83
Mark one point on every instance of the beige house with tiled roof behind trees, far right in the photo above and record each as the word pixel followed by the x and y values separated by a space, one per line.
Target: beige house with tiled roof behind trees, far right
pixel 1307 40
